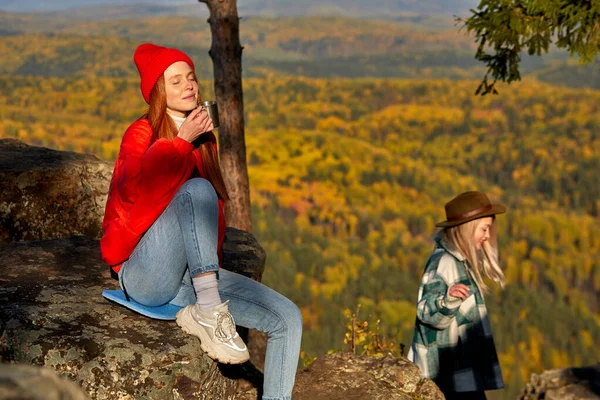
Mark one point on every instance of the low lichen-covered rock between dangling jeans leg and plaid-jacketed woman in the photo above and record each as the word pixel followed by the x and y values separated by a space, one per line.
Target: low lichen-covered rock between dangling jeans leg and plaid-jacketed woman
pixel 343 376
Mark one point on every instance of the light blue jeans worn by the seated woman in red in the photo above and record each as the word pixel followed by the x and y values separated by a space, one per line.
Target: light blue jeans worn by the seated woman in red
pixel 182 243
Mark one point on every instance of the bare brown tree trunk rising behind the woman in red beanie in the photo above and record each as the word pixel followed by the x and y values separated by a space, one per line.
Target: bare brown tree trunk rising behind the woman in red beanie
pixel 226 53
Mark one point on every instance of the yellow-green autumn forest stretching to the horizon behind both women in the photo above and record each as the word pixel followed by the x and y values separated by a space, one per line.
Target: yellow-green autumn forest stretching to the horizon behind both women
pixel 357 134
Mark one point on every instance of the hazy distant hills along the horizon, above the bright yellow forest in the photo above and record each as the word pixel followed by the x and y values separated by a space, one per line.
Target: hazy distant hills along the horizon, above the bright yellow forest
pixel 319 47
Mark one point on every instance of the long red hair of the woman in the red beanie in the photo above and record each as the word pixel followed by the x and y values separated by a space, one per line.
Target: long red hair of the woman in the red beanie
pixel 163 127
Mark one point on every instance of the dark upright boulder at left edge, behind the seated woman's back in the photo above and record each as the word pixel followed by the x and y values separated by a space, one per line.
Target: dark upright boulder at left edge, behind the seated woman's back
pixel 49 194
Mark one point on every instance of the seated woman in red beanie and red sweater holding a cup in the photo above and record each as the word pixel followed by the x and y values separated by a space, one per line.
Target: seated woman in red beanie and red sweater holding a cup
pixel 164 226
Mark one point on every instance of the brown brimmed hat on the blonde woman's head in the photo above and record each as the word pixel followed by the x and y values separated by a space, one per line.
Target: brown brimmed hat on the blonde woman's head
pixel 468 206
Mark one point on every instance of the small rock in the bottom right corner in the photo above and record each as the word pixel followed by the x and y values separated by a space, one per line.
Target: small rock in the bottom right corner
pixel 564 384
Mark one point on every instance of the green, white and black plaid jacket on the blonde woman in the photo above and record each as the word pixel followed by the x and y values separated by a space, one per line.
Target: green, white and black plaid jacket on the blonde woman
pixel 453 343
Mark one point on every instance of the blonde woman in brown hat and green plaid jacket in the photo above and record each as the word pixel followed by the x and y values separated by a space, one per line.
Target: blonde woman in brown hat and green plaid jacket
pixel 453 343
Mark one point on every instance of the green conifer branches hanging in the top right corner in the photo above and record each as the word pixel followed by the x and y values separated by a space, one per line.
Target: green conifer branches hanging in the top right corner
pixel 506 27
